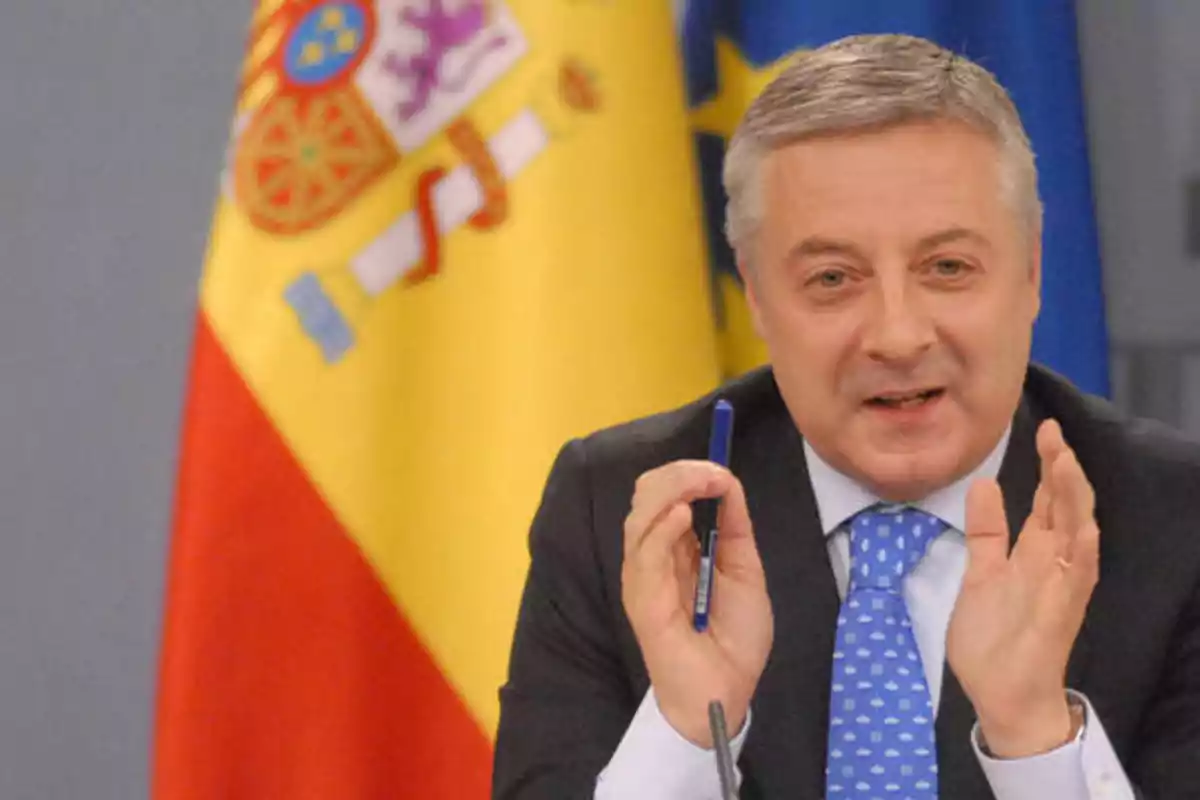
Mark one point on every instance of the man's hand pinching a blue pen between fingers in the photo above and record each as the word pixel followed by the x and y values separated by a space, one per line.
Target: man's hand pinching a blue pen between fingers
pixel 661 576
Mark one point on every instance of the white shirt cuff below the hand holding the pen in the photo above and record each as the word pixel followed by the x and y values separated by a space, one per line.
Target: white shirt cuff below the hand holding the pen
pixel 655 762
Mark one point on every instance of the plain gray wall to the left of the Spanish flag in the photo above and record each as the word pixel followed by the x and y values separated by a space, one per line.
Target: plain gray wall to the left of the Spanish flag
pixel 112 125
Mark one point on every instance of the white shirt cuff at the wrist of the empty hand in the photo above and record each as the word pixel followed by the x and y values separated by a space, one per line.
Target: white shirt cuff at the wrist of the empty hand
pixel 1084 769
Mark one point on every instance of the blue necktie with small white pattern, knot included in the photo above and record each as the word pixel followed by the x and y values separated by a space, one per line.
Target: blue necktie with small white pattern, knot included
pixel 881 718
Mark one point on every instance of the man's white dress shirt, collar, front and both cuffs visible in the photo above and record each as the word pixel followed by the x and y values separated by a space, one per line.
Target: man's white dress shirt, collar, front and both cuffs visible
pixel 655 762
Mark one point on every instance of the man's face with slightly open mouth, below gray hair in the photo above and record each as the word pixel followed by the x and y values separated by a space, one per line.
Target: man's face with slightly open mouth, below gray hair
pixel 896 288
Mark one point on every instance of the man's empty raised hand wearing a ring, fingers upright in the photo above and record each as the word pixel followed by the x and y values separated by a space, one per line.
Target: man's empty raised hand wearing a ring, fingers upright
pixel 1018 613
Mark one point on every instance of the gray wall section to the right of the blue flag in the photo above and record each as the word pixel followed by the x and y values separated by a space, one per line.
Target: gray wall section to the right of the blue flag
pixel 1143 74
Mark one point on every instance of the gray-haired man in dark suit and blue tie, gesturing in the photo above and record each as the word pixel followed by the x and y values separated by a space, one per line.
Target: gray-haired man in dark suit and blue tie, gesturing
pixel 943 572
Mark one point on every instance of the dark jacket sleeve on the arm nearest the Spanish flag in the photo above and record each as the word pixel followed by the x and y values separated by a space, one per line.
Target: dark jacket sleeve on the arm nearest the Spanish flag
pixel 567 702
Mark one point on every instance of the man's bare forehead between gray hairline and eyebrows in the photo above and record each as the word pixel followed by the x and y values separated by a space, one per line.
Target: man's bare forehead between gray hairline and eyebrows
pixel 902 181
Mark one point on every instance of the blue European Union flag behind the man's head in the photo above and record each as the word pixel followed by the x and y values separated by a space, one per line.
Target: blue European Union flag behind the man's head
pixel 1030 46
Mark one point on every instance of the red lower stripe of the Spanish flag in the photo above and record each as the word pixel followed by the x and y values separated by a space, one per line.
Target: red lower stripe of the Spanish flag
pixel 287 671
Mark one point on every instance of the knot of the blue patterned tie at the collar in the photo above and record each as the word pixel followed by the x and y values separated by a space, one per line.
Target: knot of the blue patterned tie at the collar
pixel 886 543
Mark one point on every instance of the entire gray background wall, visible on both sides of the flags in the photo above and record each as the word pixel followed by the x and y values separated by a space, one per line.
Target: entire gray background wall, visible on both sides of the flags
pixel 112 128
